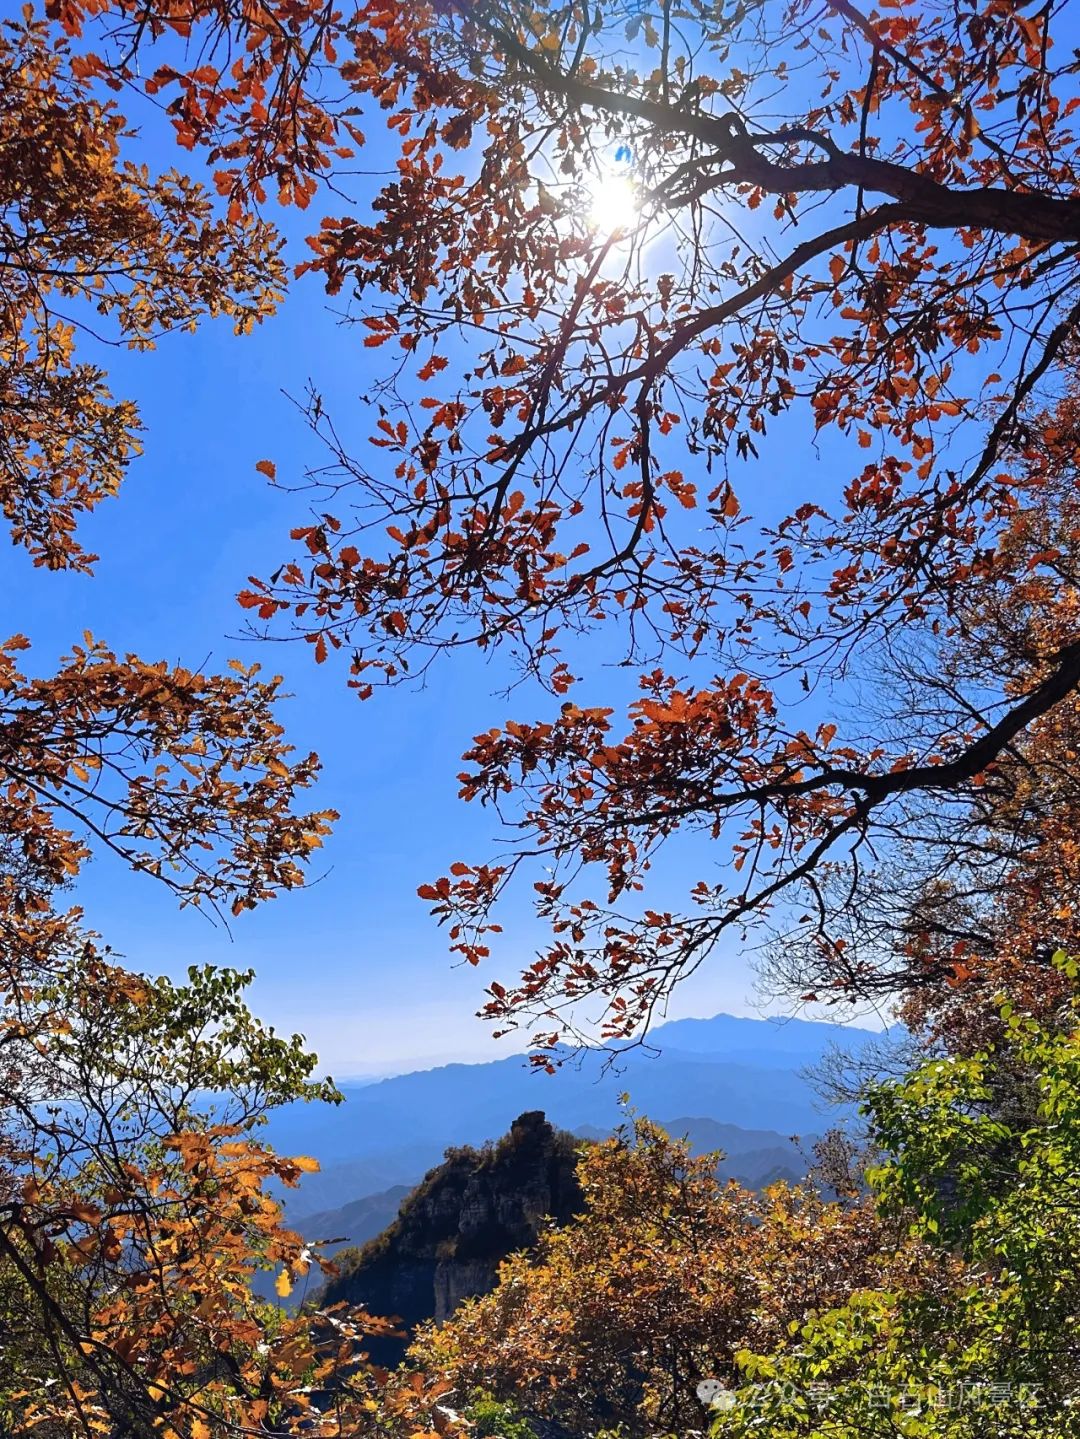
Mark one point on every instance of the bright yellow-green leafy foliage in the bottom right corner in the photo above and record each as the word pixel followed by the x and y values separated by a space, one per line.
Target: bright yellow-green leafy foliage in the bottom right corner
pixel 992 1351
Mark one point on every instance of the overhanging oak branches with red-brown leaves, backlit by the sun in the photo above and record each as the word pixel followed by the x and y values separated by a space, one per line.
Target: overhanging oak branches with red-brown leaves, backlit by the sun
pixel 631 270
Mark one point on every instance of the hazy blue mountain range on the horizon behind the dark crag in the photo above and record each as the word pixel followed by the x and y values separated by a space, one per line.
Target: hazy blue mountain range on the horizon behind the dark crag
pixel 740 1073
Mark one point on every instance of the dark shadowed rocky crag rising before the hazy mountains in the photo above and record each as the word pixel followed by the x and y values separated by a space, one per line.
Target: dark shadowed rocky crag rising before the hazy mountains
pixel 465 1217
